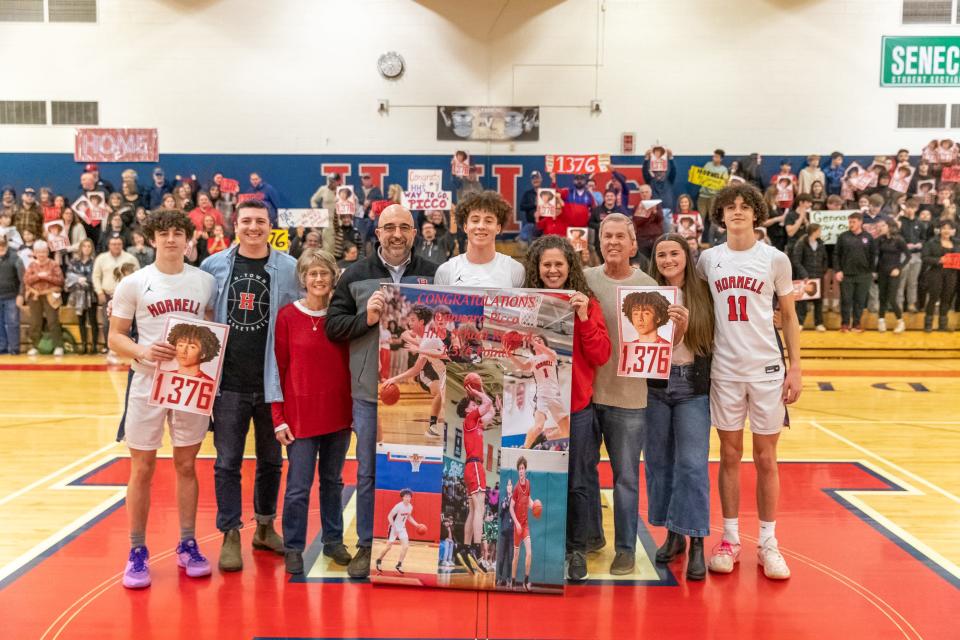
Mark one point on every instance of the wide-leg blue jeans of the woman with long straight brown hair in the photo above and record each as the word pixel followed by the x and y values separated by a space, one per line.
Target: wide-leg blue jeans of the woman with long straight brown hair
pixel 675 454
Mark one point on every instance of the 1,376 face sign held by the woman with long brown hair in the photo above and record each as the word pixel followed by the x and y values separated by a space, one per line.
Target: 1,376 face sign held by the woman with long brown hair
pixel 646 331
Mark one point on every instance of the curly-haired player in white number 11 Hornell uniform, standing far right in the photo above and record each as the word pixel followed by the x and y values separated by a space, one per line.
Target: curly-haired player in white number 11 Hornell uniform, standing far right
pixel 748 377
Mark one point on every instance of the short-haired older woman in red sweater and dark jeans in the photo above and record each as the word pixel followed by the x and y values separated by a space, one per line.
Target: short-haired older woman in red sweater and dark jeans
pixel 313 420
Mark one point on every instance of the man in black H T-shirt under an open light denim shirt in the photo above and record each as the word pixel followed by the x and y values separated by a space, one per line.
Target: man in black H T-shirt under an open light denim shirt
pixel 253 283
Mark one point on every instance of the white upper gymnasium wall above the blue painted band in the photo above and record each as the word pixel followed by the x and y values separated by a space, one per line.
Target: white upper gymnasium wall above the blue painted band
pixel 299 76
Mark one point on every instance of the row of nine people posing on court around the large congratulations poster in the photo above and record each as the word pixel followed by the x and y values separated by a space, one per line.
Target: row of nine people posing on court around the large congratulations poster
pixel 302 366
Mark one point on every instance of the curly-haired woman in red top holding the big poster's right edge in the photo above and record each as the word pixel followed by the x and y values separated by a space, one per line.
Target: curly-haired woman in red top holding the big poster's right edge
pixel 553 264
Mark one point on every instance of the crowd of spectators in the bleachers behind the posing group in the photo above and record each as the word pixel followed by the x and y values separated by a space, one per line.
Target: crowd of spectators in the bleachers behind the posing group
pixel 72 249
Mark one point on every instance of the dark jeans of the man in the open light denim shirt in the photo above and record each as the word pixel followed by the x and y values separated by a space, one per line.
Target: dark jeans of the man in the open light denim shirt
pixel 232 413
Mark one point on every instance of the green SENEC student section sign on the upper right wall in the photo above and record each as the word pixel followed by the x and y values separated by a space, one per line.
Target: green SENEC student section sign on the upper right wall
pixel 920 61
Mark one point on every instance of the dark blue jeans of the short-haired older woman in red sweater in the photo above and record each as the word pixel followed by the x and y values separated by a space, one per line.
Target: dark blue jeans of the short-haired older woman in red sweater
pixel 327 453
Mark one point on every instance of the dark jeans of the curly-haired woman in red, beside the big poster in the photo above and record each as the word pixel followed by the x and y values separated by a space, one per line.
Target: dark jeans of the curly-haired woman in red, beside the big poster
pixel 582 478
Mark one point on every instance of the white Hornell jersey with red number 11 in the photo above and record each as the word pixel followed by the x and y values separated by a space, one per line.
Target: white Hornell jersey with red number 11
pixel 743 284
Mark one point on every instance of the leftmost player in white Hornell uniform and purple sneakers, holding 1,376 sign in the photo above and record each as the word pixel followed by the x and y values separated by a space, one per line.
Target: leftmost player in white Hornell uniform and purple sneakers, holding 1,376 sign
pixel 166 288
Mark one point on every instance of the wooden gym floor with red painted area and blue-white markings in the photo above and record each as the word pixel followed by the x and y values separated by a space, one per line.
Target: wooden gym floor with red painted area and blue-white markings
pixel 869 522
